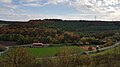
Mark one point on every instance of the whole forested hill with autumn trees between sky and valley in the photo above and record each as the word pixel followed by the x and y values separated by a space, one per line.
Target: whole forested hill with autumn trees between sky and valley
pixel 58 31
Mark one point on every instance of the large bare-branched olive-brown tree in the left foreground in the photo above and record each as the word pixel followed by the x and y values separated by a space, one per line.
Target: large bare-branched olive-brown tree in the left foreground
pixel 18 57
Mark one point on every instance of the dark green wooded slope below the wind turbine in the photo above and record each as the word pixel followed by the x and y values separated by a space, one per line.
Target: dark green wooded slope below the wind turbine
pixel 82 26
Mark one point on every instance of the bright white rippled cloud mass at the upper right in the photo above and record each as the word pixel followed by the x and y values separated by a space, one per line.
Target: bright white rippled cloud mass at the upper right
pixel 103 9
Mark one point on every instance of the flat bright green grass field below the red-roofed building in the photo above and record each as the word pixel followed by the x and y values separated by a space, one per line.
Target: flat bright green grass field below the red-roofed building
pixel 50 51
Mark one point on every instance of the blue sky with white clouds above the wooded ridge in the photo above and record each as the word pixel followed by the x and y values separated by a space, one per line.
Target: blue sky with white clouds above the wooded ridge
pixel 24 10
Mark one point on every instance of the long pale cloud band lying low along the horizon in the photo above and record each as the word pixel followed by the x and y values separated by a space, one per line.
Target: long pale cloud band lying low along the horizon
pixel 26 17
